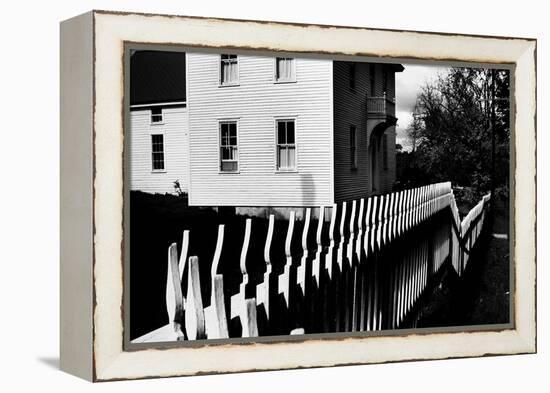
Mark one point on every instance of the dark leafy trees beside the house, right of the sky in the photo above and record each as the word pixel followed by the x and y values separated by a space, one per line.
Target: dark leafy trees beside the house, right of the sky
pixel 454 118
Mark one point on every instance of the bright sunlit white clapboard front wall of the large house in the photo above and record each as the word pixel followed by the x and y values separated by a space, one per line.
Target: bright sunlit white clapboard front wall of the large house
pixel 256 103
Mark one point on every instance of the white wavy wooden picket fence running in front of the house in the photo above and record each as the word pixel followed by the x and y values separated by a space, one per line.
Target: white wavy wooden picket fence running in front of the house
pixel 362 267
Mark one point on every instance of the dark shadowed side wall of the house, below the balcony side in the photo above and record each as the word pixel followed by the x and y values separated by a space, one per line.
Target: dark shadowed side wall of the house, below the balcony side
pixel 350 109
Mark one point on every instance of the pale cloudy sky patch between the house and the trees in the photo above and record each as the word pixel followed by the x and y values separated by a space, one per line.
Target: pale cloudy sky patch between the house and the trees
pixel 407 86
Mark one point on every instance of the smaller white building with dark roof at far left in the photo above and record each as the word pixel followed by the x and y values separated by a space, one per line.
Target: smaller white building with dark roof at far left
pixel 159 122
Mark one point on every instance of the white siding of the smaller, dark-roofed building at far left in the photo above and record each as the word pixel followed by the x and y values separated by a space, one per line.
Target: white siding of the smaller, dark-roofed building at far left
pixel 175 131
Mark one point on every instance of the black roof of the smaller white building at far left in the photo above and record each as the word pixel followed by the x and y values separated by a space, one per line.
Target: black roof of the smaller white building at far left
pixel 157 77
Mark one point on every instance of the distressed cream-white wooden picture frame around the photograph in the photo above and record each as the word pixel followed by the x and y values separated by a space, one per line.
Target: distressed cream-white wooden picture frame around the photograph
pixel 93 303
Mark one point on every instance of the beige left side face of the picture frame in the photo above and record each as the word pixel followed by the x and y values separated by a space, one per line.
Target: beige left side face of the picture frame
pixel 76 207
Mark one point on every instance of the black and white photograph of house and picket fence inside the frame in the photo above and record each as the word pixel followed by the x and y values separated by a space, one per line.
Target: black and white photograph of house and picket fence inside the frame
pixel 274 194
